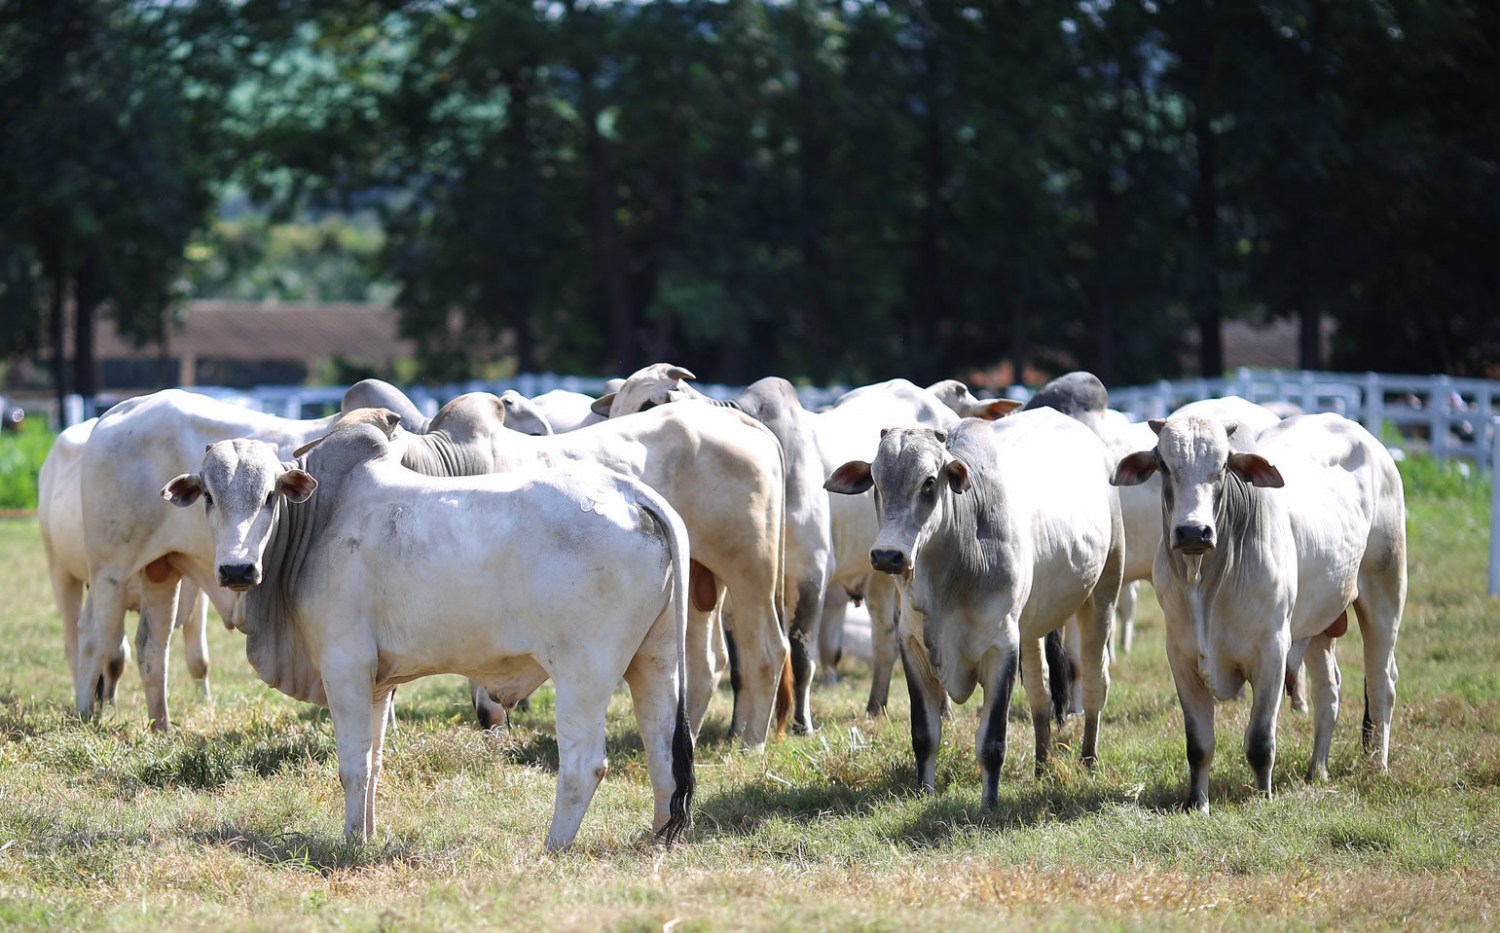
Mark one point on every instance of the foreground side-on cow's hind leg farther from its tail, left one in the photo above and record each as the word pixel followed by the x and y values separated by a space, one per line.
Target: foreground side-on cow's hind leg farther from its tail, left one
pixel 581 754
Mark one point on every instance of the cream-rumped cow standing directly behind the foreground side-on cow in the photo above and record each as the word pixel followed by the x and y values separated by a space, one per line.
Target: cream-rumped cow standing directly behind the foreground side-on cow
pixel 719 469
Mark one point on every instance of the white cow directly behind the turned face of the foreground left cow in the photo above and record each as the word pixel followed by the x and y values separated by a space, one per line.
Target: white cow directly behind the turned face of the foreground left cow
pixel 133 539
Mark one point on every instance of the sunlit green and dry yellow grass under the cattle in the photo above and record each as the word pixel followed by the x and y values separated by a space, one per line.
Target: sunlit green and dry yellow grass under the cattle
pixel 236 818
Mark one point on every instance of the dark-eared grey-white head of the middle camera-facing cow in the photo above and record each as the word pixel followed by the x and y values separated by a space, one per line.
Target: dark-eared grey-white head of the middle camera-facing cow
pixel 913 473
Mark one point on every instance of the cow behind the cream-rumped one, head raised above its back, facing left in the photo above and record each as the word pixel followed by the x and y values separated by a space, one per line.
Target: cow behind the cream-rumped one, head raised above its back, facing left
pixel 809 547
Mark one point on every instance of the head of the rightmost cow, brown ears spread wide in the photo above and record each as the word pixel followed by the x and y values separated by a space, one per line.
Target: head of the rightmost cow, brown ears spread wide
pixel 1198 463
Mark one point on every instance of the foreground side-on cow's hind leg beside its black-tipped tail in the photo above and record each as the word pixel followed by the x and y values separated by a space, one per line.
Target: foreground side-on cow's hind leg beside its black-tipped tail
pixel 655 695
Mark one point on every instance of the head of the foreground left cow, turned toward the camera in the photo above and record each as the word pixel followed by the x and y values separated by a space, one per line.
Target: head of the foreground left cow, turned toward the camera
pixel 242 484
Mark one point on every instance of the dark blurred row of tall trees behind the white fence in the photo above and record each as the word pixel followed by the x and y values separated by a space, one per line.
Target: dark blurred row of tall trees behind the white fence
pixel 838 191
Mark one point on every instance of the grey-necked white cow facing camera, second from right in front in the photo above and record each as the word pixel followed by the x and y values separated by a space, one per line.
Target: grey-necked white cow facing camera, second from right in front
pixel 997 535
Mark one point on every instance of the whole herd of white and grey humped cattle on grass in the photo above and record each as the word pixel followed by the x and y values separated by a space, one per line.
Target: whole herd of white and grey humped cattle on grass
pixel 662 538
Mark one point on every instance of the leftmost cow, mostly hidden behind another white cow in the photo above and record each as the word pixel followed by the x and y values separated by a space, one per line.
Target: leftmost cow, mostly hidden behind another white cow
pixel 61 520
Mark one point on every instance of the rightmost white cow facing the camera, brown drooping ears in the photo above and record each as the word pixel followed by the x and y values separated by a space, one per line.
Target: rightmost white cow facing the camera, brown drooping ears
pixel 1261 556
